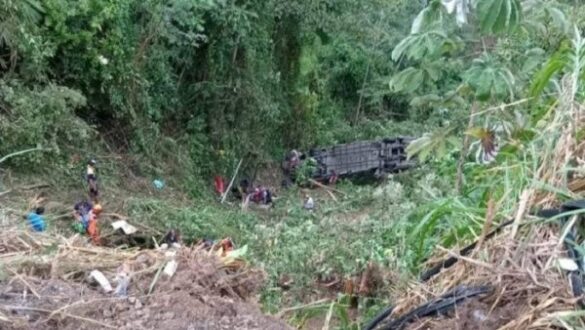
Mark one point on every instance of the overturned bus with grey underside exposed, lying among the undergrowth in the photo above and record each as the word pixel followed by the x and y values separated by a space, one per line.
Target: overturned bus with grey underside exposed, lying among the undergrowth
pixel 374 157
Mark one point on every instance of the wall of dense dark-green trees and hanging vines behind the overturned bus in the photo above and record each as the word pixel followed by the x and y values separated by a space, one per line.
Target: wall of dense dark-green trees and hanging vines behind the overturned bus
pixel 217 79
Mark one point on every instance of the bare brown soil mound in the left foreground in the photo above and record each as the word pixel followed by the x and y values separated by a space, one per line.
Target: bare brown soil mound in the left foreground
pixel 202 294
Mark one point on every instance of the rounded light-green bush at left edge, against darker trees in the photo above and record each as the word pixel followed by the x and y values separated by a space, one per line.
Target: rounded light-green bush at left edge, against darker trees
pixel 41 117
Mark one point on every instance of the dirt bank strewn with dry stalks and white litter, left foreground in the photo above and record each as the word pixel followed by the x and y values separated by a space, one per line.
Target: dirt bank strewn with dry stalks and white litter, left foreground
pixel 60 283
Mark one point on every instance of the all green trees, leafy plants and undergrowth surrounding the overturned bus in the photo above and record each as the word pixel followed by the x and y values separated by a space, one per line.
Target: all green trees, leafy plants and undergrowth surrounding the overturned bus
pixel 183 89
